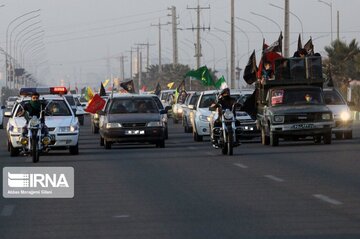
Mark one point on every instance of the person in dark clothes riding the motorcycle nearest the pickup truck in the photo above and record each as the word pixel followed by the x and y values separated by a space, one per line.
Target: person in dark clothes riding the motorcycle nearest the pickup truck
pixel 226 102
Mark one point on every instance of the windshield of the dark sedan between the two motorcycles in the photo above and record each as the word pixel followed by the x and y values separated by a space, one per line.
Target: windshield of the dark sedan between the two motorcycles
pixel 141 105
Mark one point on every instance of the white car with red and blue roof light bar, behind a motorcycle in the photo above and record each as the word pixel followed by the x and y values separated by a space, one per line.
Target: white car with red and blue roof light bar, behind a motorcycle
pixel 63 125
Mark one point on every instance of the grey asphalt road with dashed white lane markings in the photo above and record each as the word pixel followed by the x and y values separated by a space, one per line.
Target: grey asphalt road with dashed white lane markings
pixel 189 190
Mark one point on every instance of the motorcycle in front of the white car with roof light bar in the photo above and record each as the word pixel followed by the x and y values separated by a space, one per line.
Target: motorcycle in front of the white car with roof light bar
pixel 36 141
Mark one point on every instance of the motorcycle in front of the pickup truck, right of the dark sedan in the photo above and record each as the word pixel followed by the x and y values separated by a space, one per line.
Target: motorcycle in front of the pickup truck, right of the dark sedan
pixel 227 134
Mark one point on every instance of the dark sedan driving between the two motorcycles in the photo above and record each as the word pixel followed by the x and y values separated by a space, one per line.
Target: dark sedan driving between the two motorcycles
pixel 132 119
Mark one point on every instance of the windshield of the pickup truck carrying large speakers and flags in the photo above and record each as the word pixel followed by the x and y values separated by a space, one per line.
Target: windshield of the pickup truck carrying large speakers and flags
pixel 295 97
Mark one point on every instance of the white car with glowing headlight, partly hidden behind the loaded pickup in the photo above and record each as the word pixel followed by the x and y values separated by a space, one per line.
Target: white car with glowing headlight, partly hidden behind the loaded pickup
pixel 341 112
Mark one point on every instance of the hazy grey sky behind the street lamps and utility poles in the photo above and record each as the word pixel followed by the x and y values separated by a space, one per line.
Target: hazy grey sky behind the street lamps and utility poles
pixel 81 38
